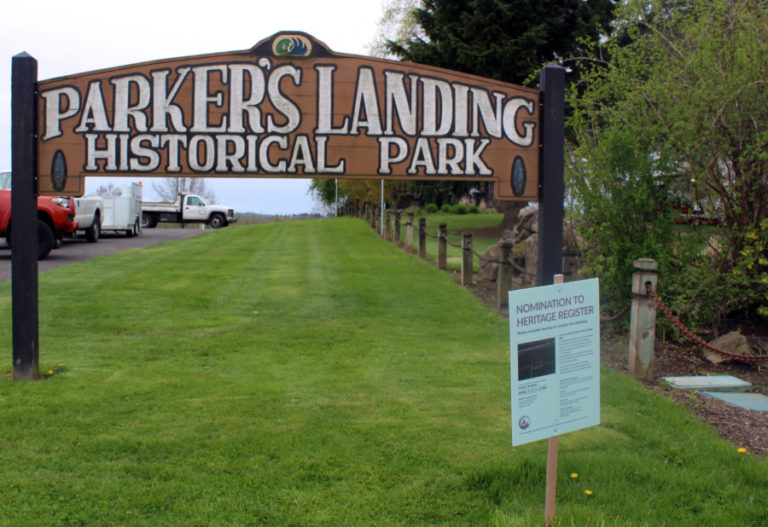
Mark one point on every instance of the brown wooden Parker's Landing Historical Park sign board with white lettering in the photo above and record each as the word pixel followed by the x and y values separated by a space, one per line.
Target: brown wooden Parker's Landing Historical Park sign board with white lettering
pixel 288 107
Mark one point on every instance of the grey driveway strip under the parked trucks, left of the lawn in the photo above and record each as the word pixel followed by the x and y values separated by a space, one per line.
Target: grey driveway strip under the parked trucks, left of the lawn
pixel 79 250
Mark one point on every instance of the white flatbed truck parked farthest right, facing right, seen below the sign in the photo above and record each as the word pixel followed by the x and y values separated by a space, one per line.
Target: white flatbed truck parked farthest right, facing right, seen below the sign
pixel 188 208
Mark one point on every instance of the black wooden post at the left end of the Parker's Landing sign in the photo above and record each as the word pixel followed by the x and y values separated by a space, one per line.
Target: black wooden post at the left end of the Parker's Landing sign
pixel 24 235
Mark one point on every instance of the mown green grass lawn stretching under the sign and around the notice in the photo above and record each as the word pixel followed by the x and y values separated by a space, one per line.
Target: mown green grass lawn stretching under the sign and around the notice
pixel 310 373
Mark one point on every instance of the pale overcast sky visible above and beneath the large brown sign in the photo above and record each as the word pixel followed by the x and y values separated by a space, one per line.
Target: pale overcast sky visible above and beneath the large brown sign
pixel 74 36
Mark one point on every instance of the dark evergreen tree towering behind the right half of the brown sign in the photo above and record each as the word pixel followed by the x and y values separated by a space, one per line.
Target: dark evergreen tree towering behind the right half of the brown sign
pixel 507 40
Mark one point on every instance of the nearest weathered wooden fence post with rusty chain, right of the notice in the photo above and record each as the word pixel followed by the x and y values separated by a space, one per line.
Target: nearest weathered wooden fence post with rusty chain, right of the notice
pixel 642 322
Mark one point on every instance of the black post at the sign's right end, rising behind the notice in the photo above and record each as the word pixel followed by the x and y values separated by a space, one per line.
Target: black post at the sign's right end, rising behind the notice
pixel 551 182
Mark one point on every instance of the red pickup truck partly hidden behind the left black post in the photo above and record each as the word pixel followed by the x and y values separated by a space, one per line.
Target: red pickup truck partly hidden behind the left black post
pixel 55 217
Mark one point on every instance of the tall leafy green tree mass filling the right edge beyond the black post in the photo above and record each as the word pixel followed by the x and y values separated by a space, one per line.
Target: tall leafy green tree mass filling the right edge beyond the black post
pixel 678 96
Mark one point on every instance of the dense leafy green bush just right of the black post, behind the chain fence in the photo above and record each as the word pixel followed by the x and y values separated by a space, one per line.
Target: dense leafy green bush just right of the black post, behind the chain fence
pixel 617 204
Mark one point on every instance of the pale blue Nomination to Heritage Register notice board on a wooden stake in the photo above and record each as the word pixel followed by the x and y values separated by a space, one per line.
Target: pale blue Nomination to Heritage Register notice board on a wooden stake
pixel 555 359
